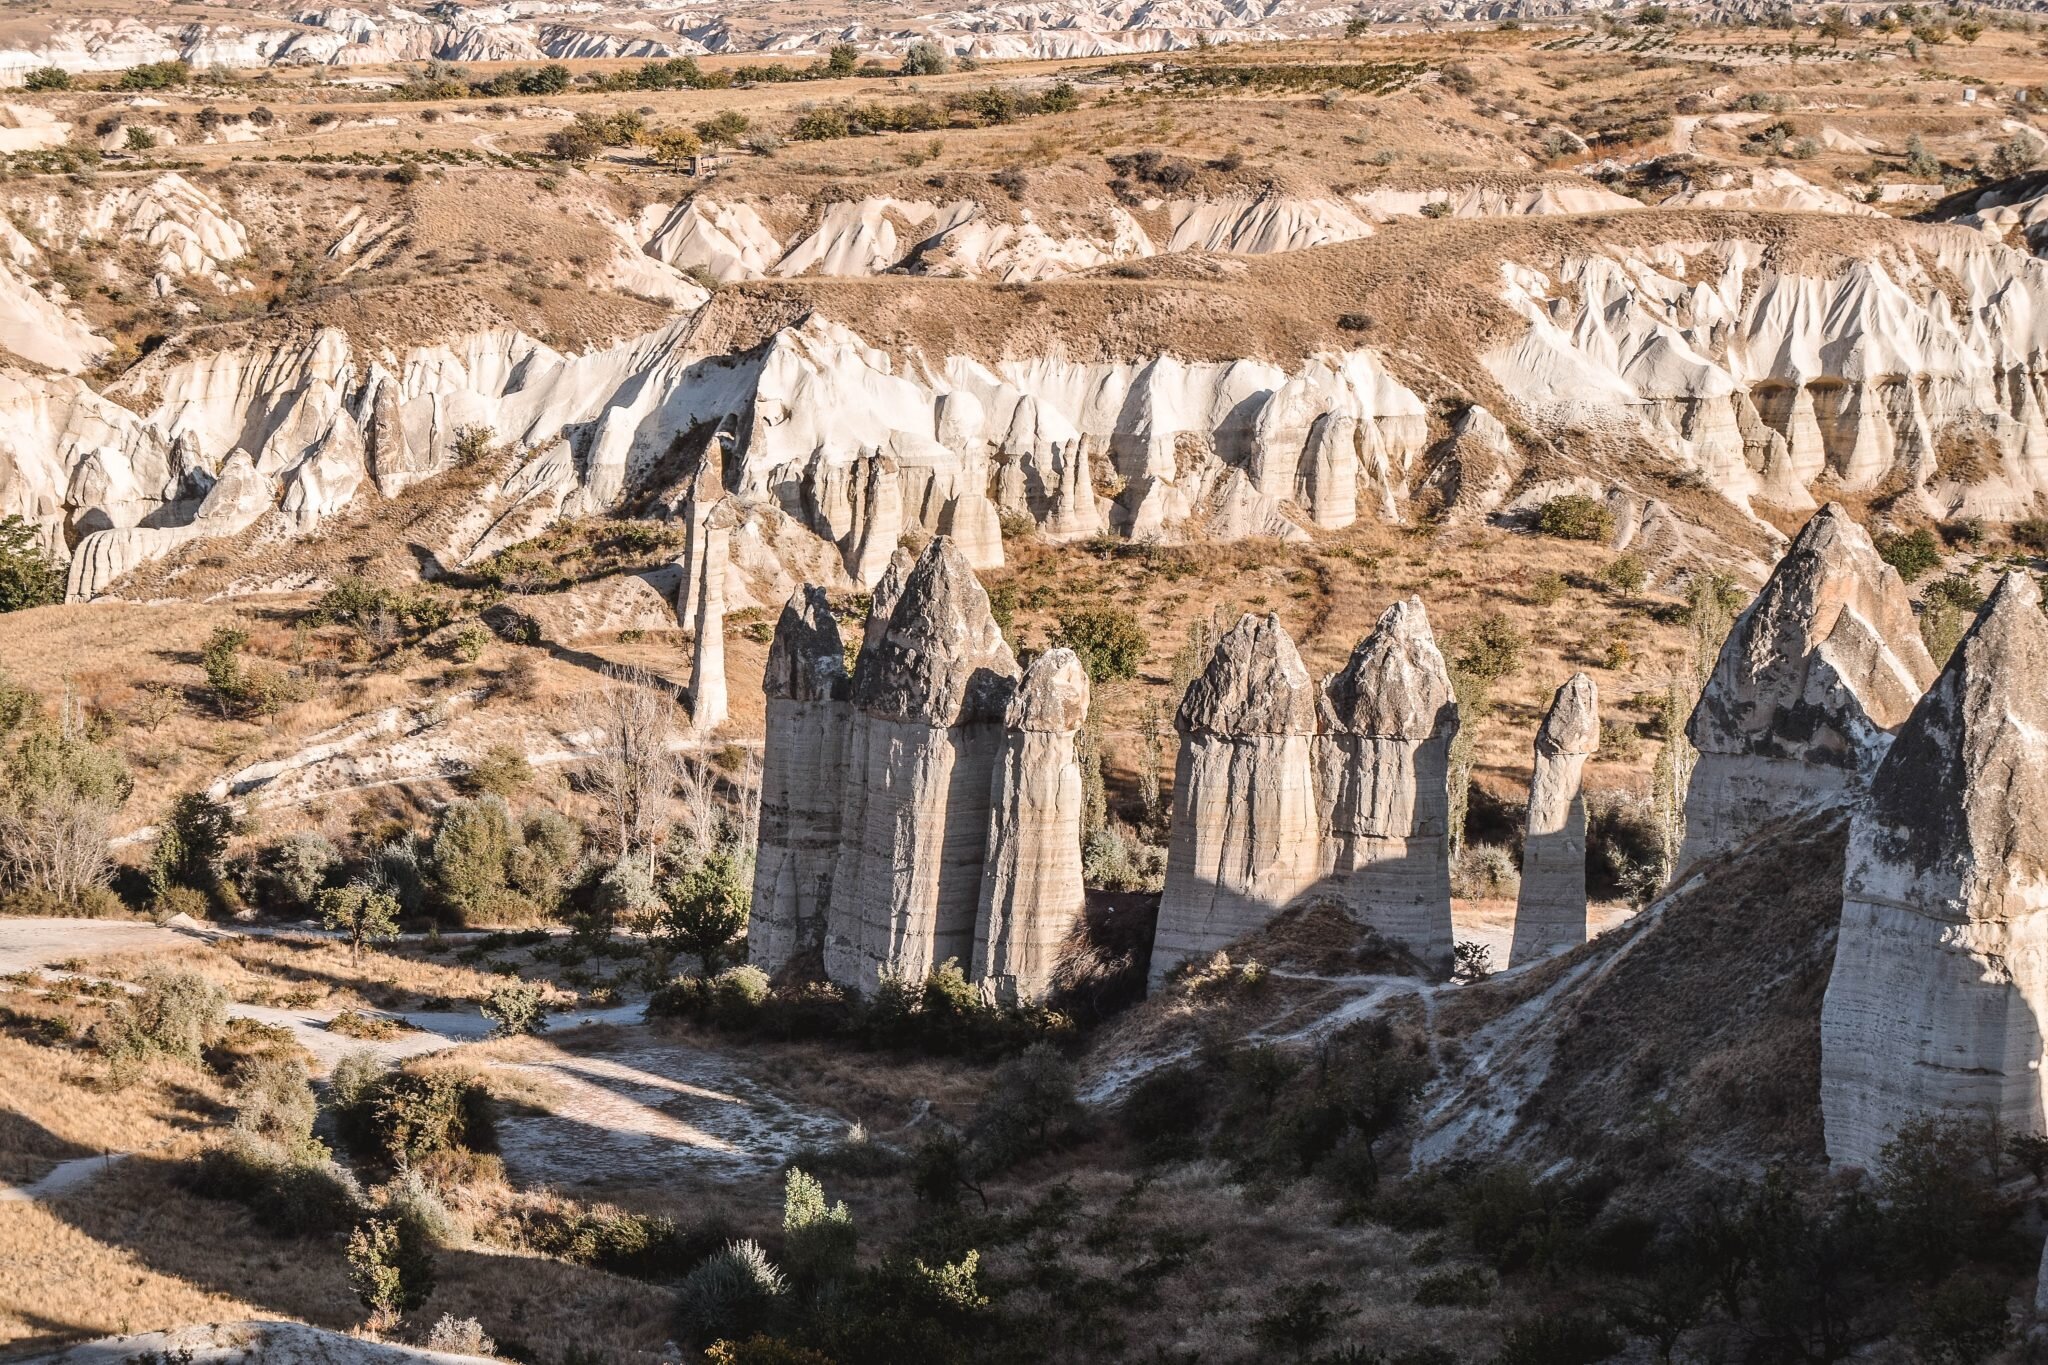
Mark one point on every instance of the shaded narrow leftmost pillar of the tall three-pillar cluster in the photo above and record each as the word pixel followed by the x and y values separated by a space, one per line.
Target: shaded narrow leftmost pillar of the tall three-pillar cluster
pixel 804 770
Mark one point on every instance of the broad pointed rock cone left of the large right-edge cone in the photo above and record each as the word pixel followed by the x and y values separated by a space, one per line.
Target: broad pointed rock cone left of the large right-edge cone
pixel 1811 682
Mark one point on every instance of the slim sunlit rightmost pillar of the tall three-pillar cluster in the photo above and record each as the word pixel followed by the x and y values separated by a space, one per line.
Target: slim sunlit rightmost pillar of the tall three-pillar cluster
pixel 1031 885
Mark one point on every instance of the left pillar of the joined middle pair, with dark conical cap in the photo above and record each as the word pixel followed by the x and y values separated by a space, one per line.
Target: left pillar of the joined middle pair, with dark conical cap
pixel 1246 836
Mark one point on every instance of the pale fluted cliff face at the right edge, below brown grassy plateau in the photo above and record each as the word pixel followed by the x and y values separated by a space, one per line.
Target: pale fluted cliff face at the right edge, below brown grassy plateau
pixel 1768 380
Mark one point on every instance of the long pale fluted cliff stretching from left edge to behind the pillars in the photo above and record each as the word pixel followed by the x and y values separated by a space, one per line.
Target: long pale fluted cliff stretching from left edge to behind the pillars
pixel 826 435
